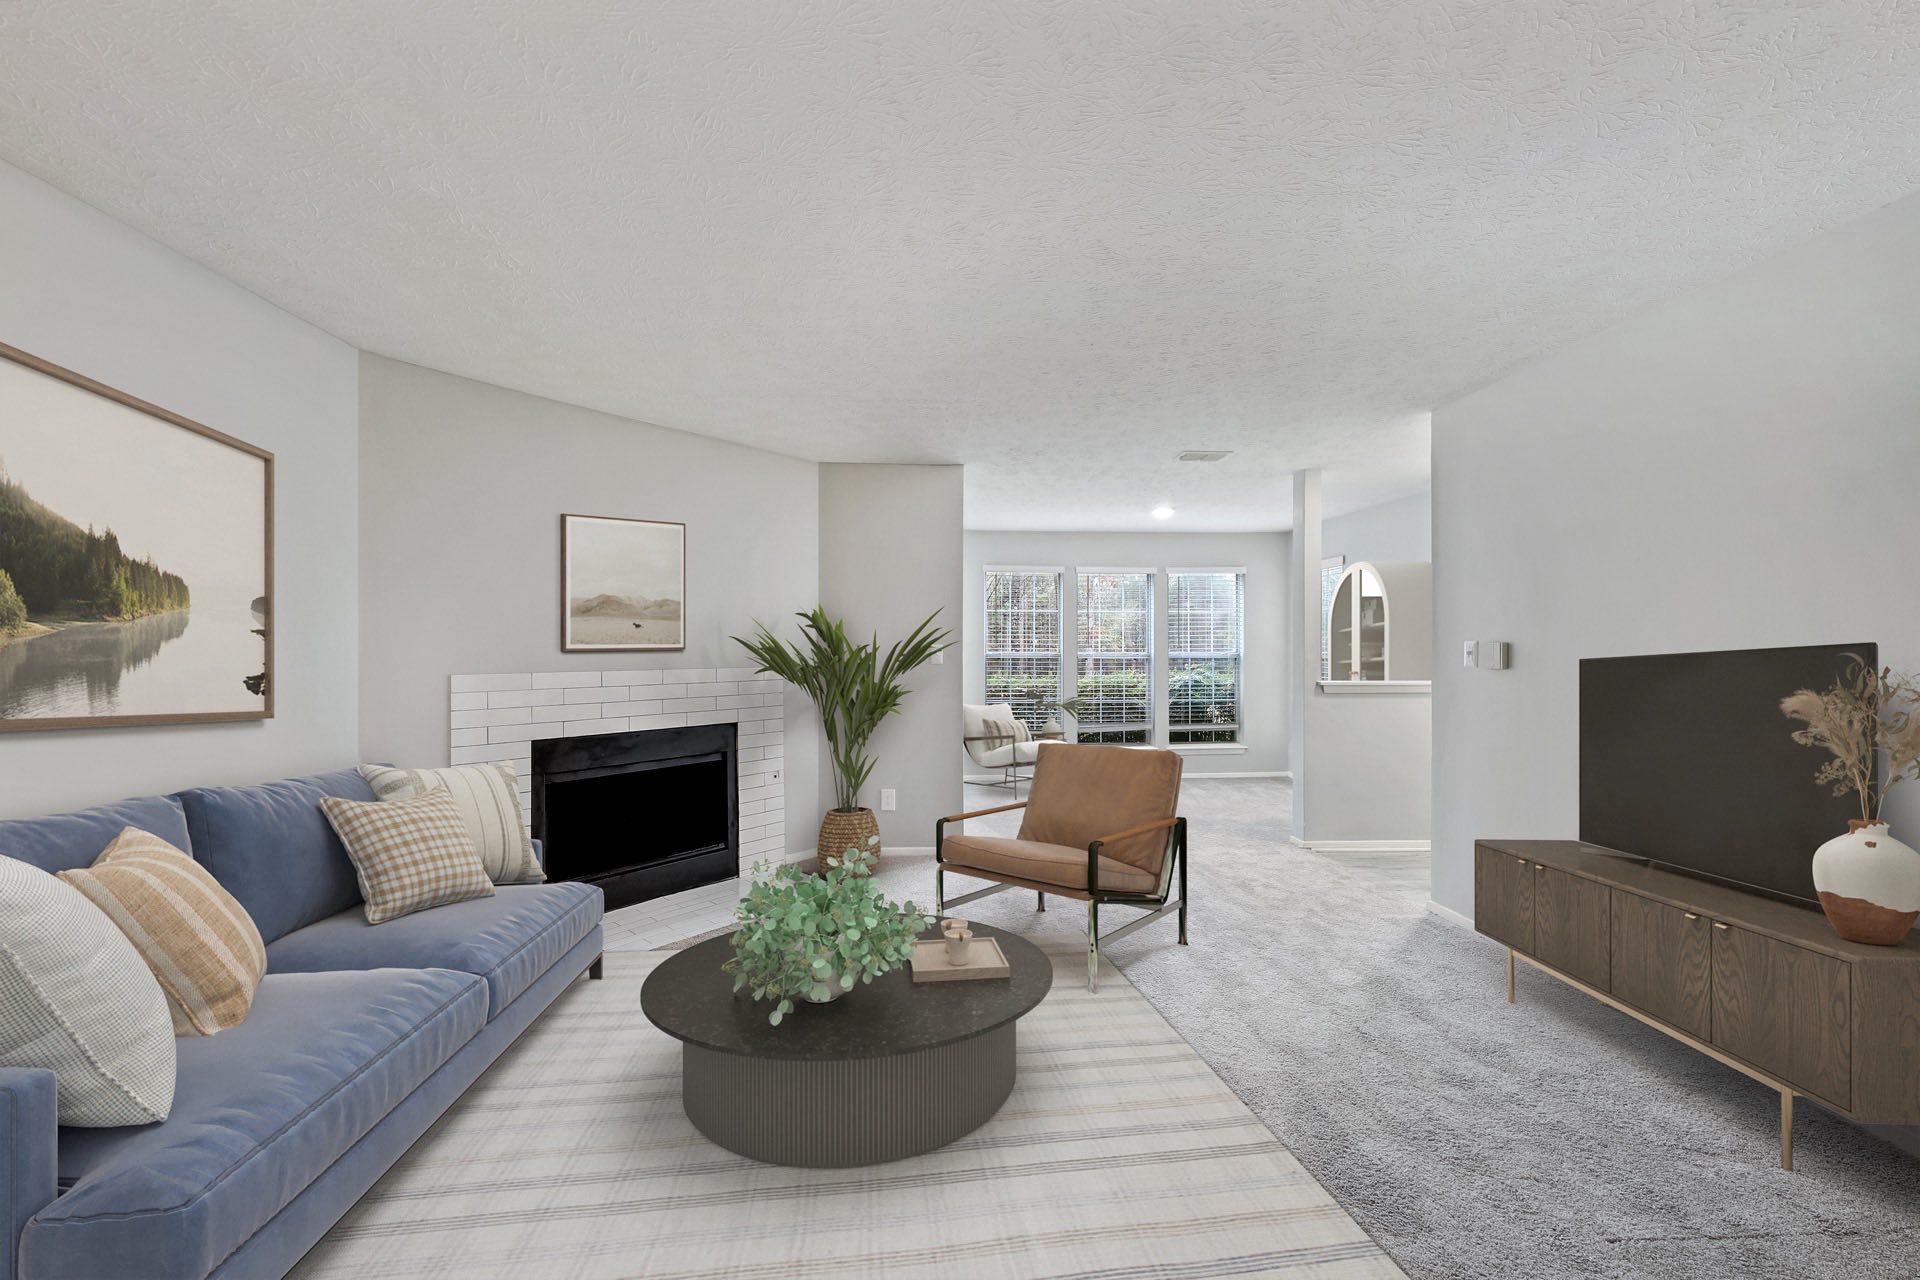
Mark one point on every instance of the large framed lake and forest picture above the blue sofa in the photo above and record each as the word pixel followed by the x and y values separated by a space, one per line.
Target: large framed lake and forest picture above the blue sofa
pixel 135 559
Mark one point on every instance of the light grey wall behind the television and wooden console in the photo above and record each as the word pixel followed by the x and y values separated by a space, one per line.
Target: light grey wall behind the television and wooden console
pixel 1731 469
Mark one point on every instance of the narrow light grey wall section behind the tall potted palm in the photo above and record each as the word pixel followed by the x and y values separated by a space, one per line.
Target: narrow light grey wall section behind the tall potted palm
pixel 890 556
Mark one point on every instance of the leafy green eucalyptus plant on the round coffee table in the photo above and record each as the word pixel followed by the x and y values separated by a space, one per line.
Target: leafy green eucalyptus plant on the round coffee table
pixel 811 937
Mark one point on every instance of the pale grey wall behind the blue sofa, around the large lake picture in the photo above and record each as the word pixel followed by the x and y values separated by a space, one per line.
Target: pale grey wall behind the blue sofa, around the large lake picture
pixel 99 298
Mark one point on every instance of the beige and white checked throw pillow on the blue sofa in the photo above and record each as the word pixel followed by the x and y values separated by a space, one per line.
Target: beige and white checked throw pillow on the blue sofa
pixel 410 855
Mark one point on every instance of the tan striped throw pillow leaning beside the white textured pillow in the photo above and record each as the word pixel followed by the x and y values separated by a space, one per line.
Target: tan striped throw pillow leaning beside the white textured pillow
pixel 195 937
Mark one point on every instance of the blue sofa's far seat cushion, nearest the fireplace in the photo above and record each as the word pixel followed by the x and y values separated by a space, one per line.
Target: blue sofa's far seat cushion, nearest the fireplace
pixel 508 939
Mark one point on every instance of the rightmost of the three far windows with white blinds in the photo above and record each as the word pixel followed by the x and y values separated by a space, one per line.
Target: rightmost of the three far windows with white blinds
pixel 1207 613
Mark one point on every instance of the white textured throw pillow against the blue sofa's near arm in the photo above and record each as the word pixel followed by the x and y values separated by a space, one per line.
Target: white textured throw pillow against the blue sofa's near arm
pixel 78 1001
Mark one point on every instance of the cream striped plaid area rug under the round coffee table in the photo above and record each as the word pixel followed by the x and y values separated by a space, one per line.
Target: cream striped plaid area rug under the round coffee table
pixel 1120 1154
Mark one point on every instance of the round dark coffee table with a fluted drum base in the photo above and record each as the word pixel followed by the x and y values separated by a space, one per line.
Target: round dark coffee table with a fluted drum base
pixel 890 1070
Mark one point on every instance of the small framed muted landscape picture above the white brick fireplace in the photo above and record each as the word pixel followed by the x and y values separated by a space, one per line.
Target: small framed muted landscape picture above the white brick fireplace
pixel 623 584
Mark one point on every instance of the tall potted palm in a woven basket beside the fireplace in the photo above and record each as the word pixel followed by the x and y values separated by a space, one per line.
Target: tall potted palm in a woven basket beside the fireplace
pixel 855 686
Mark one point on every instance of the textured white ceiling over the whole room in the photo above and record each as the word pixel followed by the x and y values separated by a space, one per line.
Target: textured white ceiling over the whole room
pixel 1057 243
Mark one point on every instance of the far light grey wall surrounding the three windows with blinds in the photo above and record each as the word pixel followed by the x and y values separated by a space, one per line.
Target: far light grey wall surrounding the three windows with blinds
pixel 1264 559
